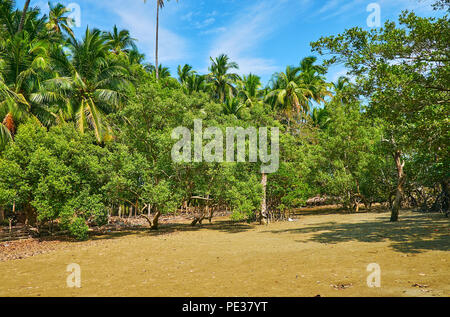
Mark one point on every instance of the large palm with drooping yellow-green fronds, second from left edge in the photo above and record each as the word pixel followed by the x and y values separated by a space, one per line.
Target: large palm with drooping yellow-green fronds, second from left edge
pixel 91 86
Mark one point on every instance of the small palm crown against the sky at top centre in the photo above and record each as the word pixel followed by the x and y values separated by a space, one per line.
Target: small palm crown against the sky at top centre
pixel 221 79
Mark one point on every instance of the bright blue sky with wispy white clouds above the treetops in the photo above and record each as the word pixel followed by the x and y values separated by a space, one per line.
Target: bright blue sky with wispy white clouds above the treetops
pixel 262 36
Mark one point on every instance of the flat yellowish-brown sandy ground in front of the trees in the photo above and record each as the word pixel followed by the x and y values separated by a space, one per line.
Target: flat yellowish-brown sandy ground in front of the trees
pixel 323 254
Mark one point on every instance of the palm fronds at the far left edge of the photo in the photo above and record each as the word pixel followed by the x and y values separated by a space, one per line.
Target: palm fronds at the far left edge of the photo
pixel 24 64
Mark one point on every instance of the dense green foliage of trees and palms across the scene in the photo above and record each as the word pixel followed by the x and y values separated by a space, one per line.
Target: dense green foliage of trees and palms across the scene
pixel 86 123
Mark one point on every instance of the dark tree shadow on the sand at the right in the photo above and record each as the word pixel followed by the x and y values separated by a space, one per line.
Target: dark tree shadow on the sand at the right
pixel 412 234
